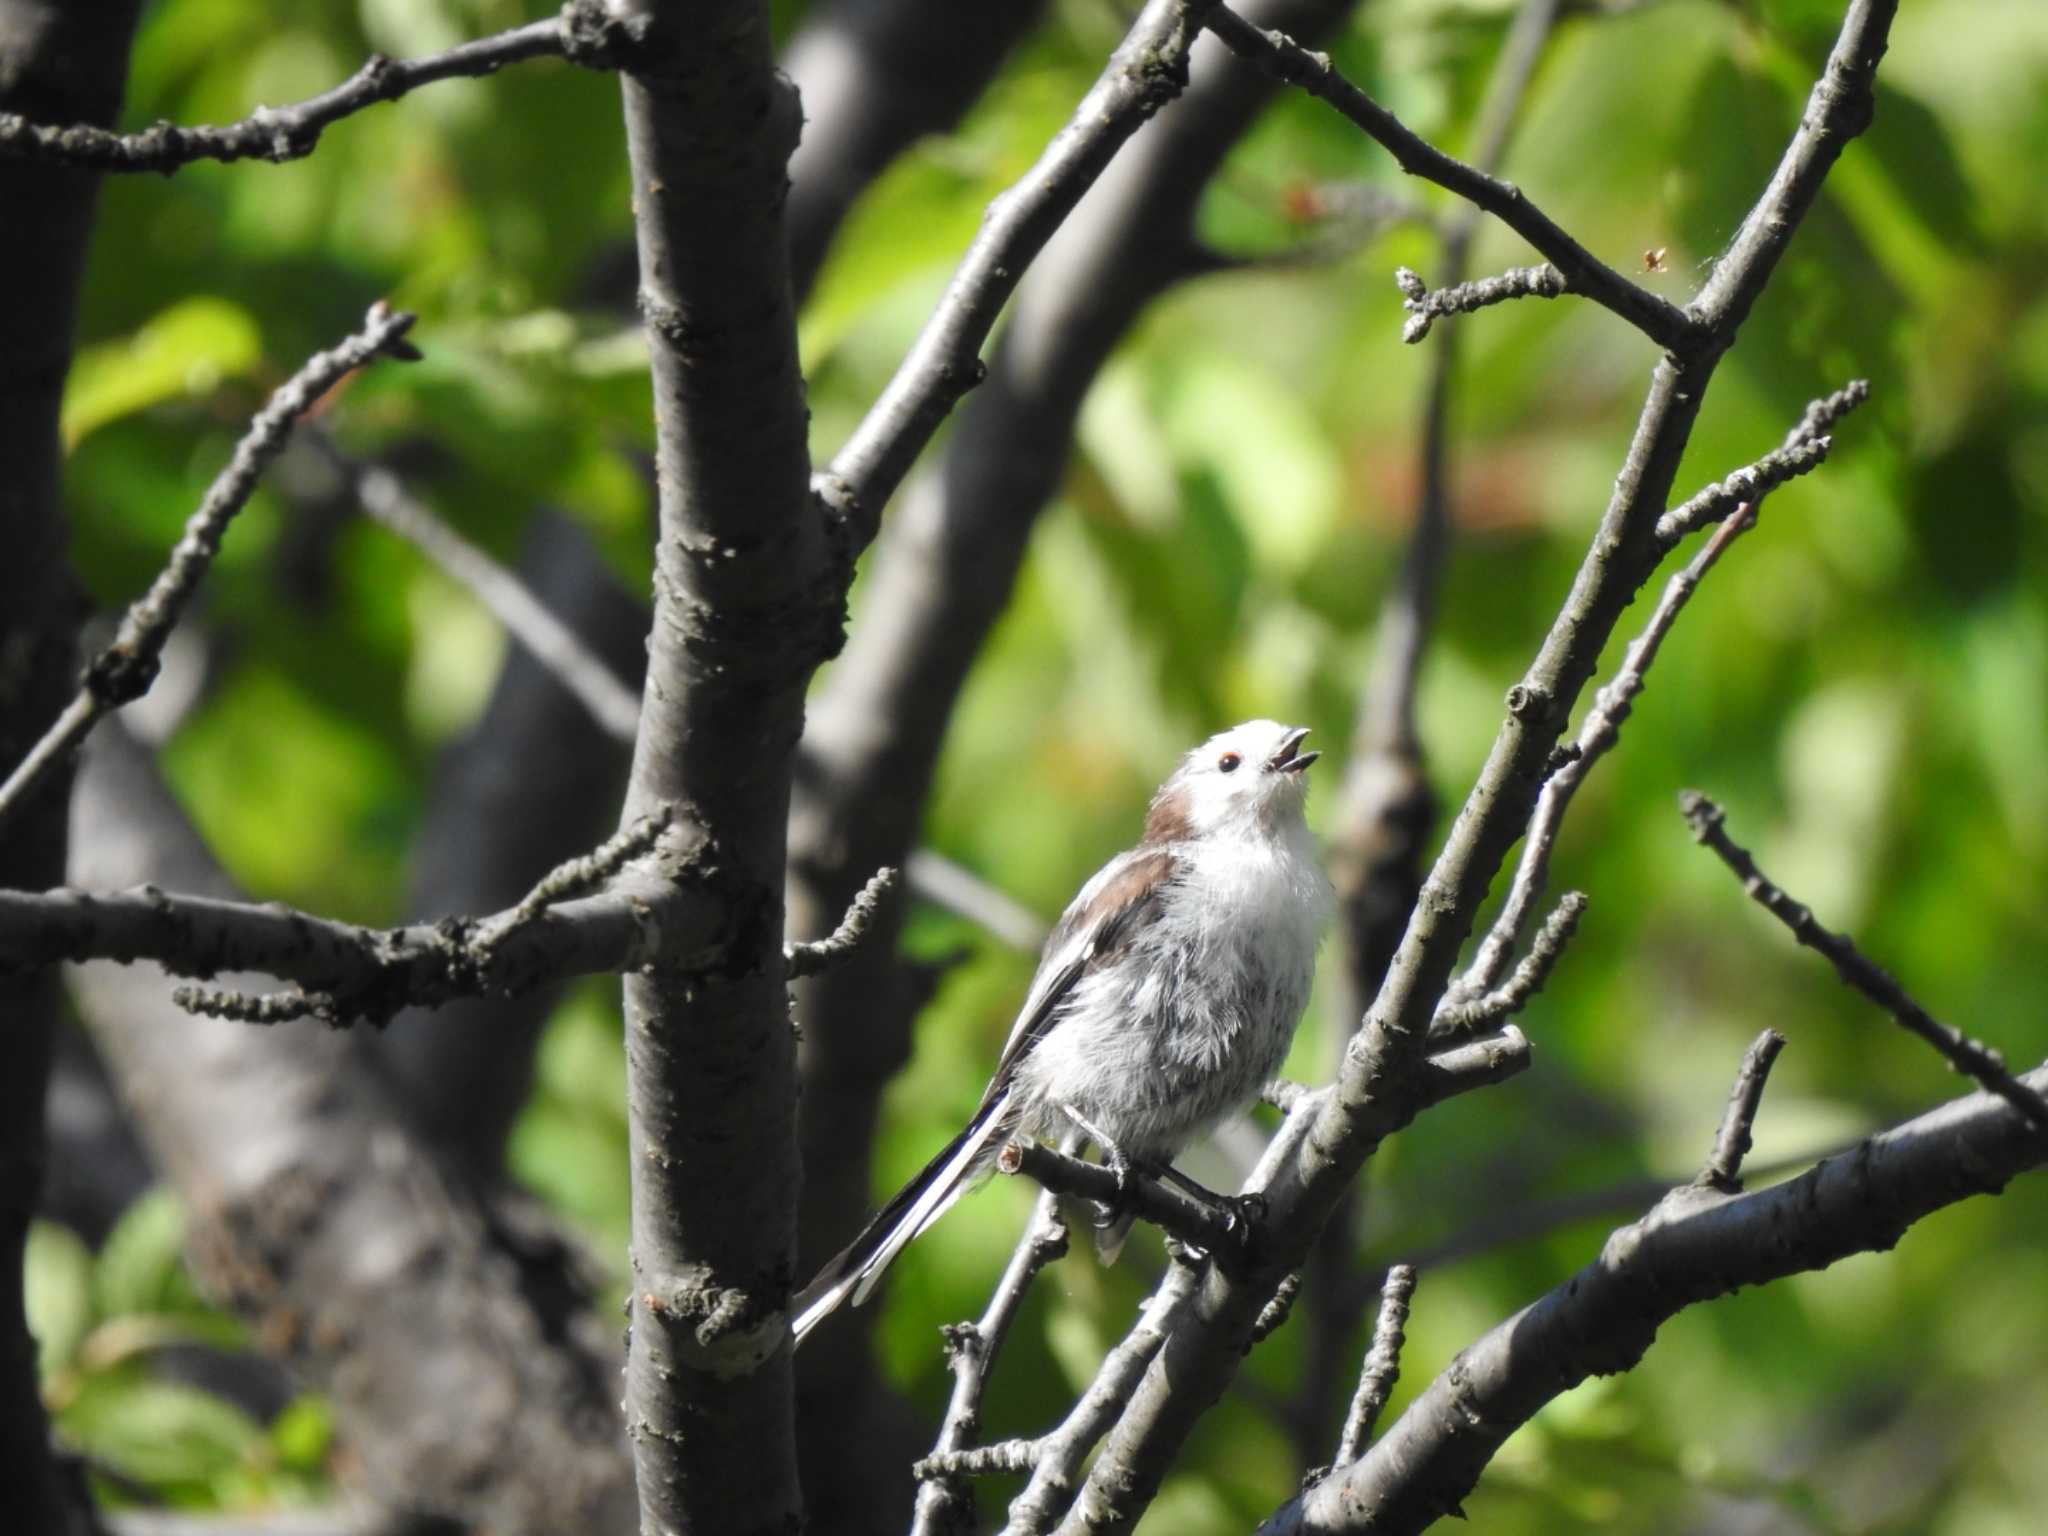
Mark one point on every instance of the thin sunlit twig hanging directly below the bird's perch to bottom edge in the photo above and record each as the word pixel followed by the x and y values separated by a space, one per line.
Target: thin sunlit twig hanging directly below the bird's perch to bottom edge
pixel 943 1500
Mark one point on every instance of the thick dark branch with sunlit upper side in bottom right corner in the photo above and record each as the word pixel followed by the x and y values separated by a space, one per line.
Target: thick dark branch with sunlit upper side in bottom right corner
pixel 1697 1244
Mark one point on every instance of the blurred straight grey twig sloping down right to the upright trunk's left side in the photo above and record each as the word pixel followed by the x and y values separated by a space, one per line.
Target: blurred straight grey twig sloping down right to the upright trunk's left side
pixel 529 622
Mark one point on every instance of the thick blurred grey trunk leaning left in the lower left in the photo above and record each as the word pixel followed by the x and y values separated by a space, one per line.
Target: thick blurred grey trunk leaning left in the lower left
pixel 327 1224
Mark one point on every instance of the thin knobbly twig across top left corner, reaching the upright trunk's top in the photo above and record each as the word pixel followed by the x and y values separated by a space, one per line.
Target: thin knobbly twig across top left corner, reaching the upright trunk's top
pixel 280 134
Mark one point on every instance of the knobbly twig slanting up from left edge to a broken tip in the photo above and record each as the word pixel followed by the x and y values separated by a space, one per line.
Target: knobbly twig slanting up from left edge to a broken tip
pixel 130 665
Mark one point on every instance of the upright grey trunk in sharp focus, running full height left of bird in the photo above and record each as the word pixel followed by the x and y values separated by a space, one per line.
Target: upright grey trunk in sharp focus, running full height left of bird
pixel 751 599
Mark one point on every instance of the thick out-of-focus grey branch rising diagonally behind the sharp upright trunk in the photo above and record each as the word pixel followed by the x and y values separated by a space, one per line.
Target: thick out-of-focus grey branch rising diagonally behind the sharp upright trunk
pixel 937 585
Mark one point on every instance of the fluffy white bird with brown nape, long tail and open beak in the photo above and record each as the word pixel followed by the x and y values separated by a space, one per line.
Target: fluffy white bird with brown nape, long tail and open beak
pixel 1164 998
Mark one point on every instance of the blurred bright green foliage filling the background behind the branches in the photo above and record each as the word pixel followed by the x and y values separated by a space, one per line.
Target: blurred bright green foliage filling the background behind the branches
pixel 1865 681
